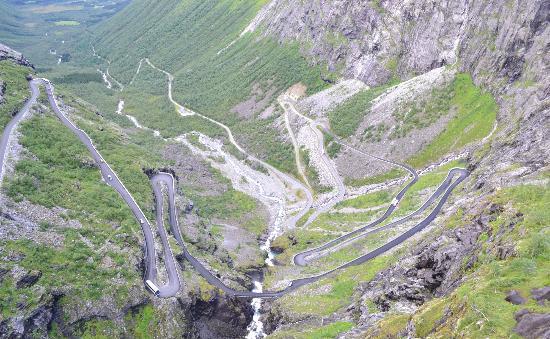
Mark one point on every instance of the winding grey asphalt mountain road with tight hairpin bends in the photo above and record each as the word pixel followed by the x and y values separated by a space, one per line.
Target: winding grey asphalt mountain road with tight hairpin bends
pixel 157 180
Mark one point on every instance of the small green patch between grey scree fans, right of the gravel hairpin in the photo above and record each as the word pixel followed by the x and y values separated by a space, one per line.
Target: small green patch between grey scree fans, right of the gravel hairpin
pixel 346 117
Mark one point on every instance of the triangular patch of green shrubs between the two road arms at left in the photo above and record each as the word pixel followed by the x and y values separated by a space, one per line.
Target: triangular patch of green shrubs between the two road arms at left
pixel 63 174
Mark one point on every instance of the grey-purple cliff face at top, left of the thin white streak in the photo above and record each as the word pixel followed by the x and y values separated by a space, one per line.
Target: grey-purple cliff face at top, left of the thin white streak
pixel 370 40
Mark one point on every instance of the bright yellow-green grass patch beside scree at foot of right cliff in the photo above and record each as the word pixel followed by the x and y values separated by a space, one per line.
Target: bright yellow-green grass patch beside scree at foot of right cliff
pixel 475 117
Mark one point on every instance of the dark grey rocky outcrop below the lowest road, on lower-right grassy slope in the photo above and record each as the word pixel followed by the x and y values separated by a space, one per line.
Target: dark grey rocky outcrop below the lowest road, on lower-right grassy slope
pixel 433 268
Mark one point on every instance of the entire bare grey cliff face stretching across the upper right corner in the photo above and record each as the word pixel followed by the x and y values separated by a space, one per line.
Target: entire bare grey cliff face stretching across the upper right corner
pixel 374 40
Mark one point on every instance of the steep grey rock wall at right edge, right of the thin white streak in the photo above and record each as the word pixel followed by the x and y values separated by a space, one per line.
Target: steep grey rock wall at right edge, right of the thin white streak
pixel 506 50
